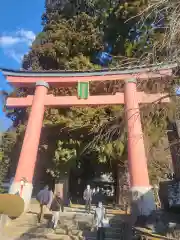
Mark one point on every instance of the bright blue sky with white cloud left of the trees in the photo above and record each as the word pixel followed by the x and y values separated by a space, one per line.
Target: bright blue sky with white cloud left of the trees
pixel 20 22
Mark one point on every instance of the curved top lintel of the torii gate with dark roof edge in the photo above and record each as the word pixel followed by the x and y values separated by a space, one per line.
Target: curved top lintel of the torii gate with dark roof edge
pixel 22 78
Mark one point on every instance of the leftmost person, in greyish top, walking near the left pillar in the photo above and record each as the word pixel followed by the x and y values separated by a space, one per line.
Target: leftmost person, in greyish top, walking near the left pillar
pixel 44 198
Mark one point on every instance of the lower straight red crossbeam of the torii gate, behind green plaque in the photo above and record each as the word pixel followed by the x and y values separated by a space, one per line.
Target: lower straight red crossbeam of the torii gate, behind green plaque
pixel 67 101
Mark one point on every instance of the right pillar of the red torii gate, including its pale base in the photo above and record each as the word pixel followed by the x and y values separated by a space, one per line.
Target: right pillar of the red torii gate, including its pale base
pixel 142 194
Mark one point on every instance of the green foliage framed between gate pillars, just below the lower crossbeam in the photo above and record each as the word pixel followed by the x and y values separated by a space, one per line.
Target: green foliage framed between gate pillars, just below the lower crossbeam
pixel 84 131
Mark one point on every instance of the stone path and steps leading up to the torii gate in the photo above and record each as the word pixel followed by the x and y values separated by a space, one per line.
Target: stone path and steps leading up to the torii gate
pixel 75 225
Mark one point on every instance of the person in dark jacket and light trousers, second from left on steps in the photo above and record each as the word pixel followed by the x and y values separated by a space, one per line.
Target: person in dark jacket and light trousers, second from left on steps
pixel 56 205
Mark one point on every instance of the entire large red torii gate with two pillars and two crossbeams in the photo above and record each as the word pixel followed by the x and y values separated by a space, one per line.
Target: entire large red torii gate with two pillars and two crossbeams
pixel 131 98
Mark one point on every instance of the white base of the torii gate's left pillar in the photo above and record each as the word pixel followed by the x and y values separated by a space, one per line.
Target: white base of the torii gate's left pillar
pixel 15 188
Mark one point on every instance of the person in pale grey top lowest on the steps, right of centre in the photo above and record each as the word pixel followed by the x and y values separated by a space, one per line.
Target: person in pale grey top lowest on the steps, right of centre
pixel 101 221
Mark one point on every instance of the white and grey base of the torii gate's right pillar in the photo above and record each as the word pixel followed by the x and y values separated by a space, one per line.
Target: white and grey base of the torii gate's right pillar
pixel 143 202
